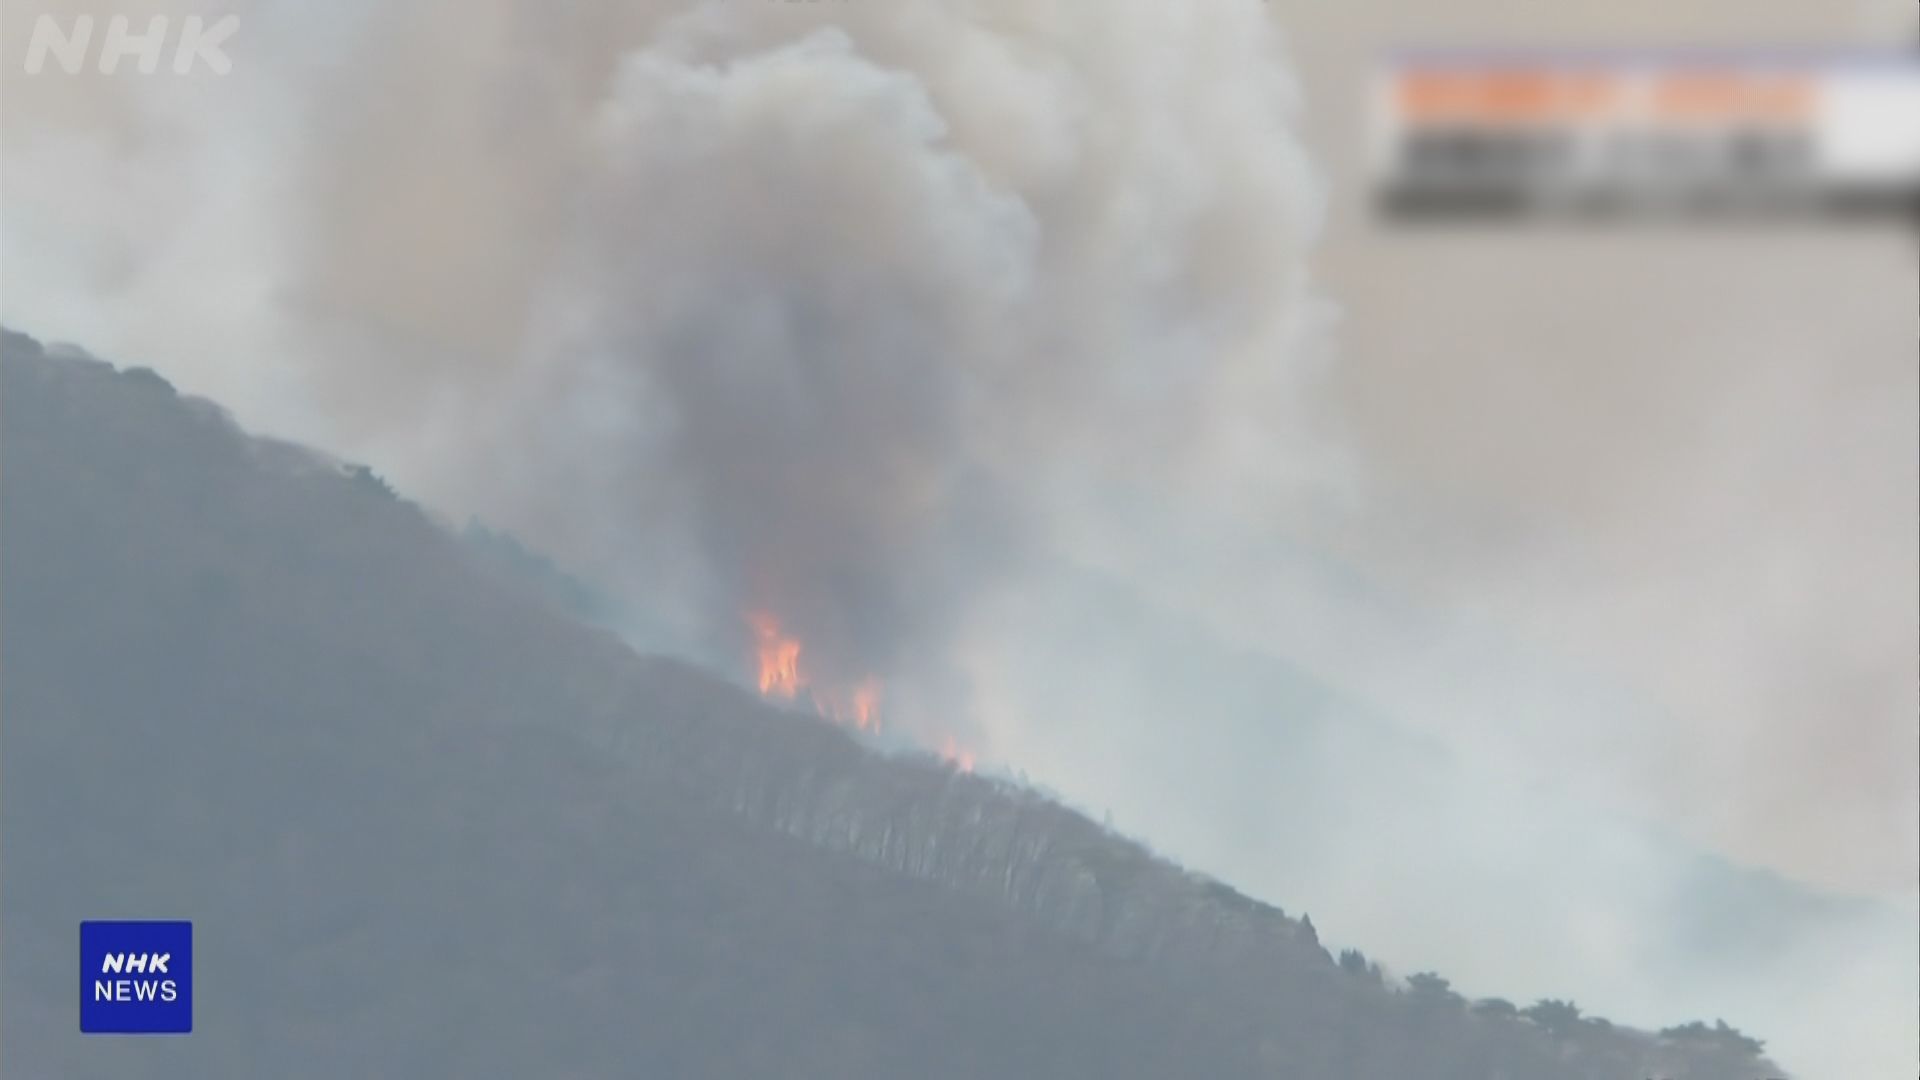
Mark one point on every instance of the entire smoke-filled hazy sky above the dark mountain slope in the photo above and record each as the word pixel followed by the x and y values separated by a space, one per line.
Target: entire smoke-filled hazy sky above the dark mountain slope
pixel 900 318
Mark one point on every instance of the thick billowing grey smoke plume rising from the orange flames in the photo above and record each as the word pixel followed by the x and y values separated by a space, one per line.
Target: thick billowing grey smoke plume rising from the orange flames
pixel 742 310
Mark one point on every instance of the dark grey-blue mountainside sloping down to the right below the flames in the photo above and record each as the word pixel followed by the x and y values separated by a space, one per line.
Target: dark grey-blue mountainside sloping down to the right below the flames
pixel 429 827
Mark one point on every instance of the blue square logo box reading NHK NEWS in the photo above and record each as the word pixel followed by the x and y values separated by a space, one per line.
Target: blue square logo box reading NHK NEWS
pixel 137 979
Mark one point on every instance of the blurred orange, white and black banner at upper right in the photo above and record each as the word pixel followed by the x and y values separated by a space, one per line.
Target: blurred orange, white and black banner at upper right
pixel 1635 134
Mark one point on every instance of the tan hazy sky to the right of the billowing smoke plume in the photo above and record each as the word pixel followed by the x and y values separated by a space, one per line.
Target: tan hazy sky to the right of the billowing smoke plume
pixel 1683 456
